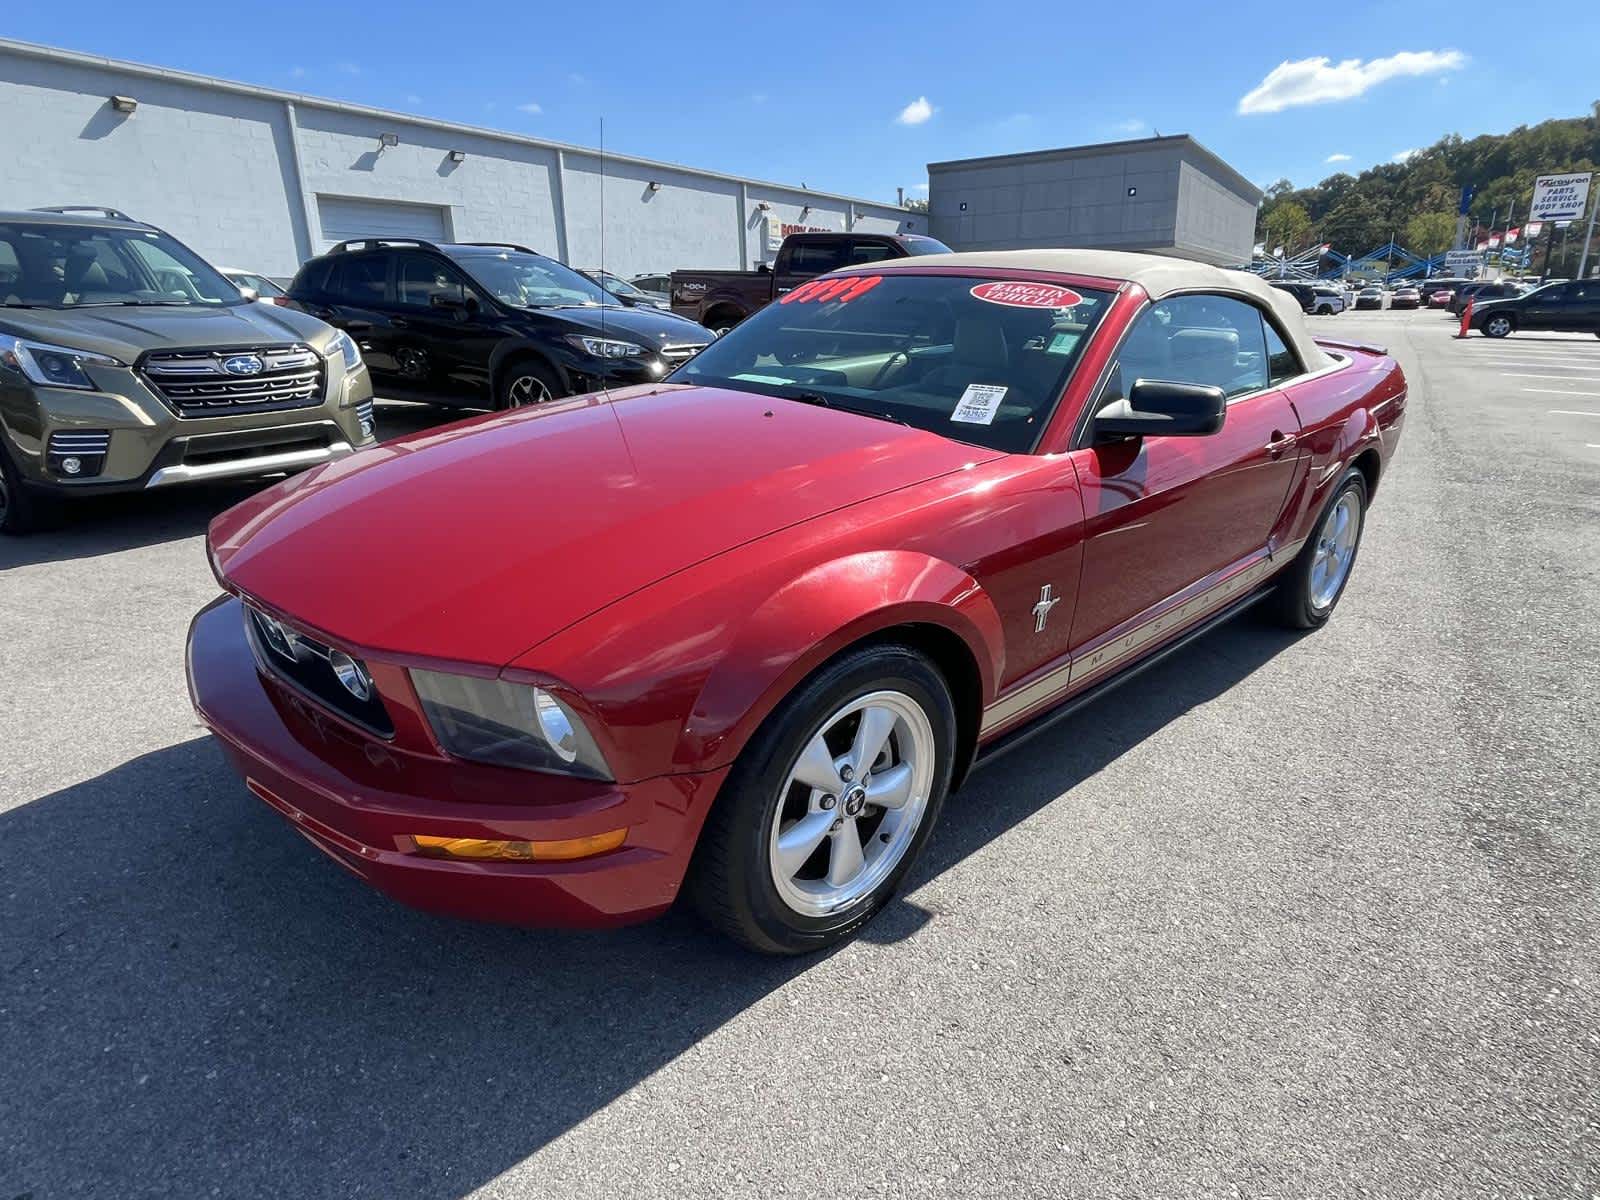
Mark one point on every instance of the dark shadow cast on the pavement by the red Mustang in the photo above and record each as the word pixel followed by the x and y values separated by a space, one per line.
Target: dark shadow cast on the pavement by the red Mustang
pixel 196 1002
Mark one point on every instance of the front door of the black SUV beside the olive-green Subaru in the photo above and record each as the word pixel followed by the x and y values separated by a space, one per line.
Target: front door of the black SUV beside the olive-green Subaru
pixel 442 330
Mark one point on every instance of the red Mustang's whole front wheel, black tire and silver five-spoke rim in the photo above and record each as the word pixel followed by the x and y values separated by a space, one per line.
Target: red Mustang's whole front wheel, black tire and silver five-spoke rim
pixel 830 804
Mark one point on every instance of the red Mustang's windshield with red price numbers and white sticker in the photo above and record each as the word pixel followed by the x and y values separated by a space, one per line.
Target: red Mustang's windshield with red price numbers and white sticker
pixel 972 359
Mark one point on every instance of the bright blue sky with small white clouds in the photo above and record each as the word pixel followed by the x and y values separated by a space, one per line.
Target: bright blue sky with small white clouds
pixel 860 98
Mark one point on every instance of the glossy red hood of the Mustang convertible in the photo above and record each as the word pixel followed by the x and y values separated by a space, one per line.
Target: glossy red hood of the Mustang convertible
pixel 478 542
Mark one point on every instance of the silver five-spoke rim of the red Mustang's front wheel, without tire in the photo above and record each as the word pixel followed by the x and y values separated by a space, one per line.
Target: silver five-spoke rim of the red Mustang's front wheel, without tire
pixel 852 804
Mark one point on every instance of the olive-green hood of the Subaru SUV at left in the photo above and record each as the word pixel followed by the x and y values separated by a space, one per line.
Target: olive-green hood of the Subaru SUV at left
pixel 129 332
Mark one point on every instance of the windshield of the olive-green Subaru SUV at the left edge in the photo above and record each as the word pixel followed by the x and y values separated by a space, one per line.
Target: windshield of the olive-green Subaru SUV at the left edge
pixel 79 266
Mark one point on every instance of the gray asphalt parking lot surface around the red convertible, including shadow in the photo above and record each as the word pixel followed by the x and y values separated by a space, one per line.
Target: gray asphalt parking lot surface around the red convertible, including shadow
pixel 1286 918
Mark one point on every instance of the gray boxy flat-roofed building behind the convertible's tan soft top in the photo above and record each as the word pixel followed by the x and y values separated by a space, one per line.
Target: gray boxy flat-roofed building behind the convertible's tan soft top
pixel 1169 196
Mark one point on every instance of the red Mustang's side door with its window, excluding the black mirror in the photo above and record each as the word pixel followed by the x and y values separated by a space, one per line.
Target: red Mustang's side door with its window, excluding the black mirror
pixel 1167 514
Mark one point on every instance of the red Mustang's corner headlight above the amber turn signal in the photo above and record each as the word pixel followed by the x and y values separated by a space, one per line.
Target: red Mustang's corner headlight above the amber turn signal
pixel 508 724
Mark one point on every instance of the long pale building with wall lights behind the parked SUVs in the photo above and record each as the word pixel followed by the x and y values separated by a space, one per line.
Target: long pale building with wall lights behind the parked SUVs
pixel 263 180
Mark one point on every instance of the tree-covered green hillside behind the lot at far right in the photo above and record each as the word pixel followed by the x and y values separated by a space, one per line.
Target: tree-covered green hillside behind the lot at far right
pixel 1417 201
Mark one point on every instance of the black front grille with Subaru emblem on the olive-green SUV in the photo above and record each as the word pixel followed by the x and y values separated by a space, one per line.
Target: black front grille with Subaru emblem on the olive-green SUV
pixel 260 378
